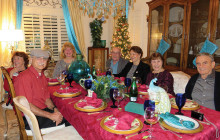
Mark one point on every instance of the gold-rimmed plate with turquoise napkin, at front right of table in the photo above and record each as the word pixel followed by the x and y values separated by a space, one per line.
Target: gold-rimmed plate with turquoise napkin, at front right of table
pixel 180 123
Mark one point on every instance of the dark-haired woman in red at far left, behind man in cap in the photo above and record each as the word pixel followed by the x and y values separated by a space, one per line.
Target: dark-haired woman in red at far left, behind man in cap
pixel 20 63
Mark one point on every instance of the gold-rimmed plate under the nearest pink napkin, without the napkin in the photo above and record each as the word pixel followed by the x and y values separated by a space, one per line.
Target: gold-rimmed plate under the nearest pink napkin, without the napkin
pixel 136 126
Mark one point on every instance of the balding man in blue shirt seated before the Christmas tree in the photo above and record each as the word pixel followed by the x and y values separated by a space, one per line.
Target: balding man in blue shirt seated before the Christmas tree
pixel 116 63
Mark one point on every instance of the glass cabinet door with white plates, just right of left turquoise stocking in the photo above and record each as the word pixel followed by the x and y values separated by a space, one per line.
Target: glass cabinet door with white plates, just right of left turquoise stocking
pixel 175 34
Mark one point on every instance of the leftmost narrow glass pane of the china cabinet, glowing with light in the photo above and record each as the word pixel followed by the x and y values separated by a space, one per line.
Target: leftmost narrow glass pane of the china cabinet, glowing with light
pixel 156 28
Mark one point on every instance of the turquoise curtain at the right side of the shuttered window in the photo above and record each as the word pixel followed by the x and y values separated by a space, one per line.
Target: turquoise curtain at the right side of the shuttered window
pixel 69 27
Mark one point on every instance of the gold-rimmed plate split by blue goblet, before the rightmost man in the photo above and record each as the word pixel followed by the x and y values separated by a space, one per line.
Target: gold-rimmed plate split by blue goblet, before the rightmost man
pixel 189 105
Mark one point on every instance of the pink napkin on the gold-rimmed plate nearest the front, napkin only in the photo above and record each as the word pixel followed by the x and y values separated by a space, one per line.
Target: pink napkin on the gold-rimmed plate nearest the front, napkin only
pixel 122 120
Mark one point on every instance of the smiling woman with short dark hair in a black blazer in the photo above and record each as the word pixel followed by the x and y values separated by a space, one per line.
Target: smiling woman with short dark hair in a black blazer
pixel 135 68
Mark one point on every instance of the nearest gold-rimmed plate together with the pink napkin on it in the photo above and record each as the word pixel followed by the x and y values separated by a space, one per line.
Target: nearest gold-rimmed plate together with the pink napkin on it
pixel 121 123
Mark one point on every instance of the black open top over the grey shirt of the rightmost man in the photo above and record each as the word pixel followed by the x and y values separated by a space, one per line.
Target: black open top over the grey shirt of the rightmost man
pixel 190 85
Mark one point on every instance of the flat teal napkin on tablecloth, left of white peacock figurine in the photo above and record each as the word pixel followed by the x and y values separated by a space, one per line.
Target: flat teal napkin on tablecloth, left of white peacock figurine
pixel 135 108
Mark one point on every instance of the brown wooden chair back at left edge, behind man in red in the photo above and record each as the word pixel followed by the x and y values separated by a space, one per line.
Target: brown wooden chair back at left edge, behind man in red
pixel 23 134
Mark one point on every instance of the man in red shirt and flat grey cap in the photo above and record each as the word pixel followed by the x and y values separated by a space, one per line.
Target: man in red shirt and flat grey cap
pixel 32 84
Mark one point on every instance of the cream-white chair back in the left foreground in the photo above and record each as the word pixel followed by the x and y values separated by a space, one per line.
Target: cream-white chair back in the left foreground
pixel 23 105
